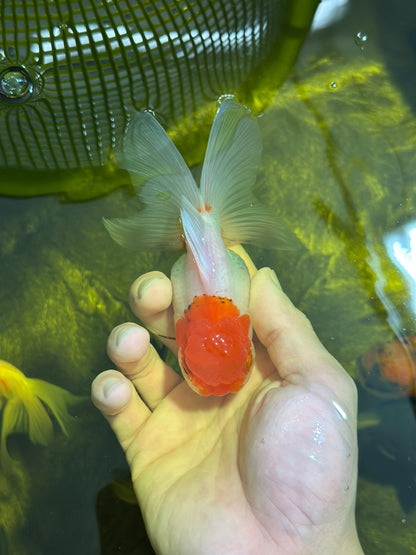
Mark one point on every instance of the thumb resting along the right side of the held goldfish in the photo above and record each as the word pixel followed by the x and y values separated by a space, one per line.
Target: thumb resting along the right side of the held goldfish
pixel 289 338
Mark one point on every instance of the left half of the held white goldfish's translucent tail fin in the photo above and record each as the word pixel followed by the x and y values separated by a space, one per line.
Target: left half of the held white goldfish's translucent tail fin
pixel 161 177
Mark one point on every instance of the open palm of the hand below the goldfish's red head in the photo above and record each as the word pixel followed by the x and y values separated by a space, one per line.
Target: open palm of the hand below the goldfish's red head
pixel 242 473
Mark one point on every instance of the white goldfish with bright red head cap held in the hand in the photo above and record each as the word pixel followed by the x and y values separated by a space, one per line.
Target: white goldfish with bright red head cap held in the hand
pixel 211 283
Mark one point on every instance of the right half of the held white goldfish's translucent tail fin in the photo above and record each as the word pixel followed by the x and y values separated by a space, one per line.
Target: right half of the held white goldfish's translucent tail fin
pixel 229 173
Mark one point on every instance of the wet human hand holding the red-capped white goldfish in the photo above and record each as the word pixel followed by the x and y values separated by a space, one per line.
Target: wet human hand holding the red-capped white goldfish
pixel 270 469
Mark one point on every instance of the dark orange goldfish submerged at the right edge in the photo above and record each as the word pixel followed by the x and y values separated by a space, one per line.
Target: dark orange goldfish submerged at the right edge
pixel 389 369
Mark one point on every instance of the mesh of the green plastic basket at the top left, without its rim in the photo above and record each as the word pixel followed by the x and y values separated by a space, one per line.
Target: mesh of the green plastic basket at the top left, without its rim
pixel 71 72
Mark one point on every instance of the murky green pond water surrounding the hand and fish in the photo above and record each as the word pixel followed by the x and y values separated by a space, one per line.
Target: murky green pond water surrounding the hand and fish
pixel 339 168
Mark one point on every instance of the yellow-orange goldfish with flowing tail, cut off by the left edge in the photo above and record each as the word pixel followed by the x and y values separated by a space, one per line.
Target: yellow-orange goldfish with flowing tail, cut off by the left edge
pixel 23 403
